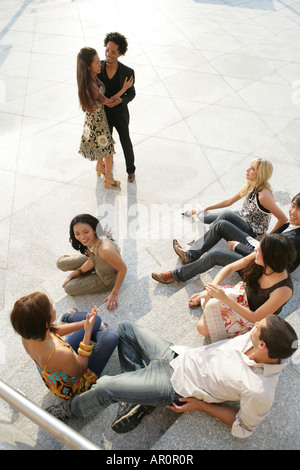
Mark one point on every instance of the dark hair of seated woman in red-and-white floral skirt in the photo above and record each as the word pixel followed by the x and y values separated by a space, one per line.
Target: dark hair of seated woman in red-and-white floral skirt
pixel 278 253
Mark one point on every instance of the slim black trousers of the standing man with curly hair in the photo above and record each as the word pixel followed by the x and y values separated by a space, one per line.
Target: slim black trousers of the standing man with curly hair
pixel 118 118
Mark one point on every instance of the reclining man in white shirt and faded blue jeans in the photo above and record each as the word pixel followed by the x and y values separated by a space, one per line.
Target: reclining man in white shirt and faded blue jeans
pixel 158 373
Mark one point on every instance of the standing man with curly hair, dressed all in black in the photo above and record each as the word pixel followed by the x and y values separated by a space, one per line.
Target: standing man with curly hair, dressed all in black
pixel 113 73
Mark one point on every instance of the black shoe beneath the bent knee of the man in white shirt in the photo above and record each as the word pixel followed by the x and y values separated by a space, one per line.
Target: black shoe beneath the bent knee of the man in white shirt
pixel 130 416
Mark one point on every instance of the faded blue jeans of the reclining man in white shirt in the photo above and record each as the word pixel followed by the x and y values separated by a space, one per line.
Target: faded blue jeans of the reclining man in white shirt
pixel 145 361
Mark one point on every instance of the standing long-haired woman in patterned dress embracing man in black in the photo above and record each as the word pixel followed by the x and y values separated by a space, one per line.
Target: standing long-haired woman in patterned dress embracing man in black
pixel 96 141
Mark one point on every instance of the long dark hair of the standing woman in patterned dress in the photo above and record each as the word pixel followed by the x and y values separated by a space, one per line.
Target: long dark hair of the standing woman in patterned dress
pixel 84 80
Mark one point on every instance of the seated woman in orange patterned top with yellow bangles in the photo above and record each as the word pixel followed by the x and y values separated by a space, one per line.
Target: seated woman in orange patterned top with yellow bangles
pixel 66 367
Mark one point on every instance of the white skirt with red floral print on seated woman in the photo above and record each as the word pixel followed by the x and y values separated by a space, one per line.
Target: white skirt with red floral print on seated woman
pixel 221 320
